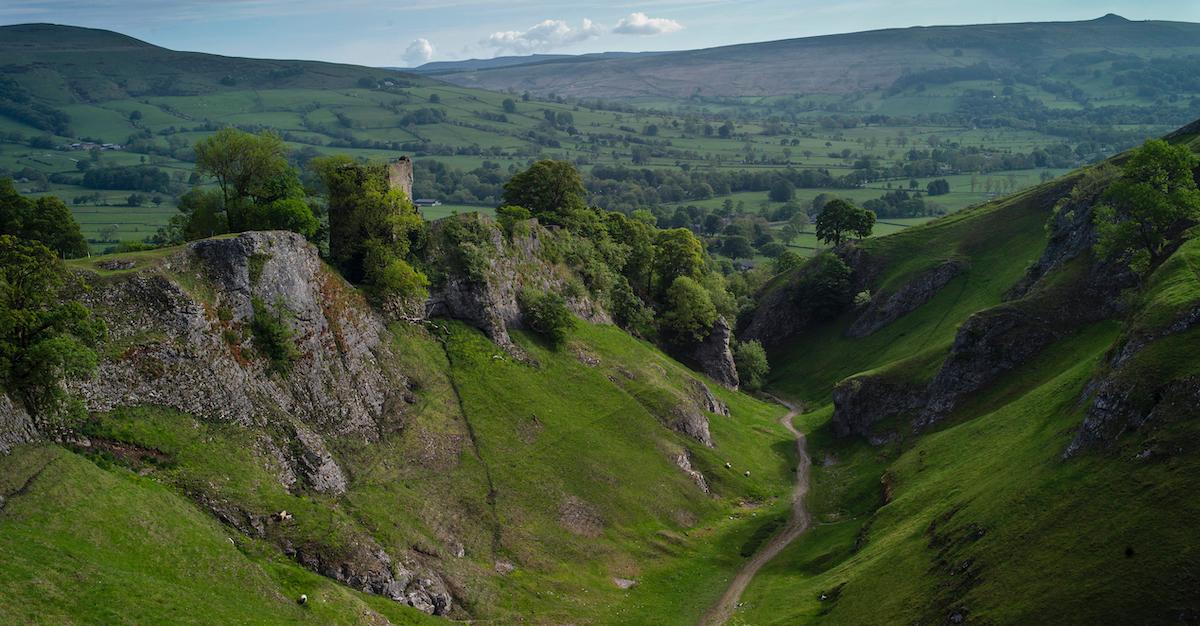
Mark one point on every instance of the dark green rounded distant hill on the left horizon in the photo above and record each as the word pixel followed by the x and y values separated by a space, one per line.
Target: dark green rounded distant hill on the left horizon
pixel 64 65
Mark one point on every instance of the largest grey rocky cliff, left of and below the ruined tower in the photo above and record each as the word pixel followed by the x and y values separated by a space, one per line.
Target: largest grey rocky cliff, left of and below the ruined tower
pixel 196 354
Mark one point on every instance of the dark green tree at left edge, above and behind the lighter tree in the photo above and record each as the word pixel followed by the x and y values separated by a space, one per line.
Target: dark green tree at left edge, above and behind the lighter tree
pixel 46 220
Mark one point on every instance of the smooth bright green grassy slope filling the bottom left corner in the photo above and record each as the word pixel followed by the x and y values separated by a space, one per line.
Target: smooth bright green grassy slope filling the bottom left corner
pixel 86 544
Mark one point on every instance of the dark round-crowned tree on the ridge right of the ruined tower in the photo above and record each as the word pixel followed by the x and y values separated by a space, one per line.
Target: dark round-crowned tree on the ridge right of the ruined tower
pixel 551 190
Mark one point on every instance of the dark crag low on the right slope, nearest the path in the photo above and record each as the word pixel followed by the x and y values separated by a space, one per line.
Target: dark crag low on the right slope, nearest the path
pixel 862 402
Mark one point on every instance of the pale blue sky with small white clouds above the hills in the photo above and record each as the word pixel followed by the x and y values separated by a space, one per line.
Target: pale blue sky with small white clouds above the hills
pixel 410 33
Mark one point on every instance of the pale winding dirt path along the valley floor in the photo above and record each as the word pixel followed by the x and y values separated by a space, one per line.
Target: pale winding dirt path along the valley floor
pixel 796 526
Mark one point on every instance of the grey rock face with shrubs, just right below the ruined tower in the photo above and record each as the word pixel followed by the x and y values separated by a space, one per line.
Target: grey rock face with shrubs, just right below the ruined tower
pixel 490 302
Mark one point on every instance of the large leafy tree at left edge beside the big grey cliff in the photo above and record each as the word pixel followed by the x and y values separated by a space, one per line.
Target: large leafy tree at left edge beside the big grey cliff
pixel 45 339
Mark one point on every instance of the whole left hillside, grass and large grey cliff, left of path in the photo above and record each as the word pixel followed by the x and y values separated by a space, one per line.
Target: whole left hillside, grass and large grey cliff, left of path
pixel 556 487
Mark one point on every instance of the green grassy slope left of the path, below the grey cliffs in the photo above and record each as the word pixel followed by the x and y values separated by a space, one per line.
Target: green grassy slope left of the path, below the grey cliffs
pixel 562 471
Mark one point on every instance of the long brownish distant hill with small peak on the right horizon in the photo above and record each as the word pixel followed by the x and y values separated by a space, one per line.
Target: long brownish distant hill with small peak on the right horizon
pixel 862 62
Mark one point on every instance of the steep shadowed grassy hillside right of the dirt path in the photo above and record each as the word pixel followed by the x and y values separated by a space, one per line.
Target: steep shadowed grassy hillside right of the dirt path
pixel 1027 502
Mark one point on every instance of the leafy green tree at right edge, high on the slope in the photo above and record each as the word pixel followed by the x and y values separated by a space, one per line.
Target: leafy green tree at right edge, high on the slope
pixel 1153 202
